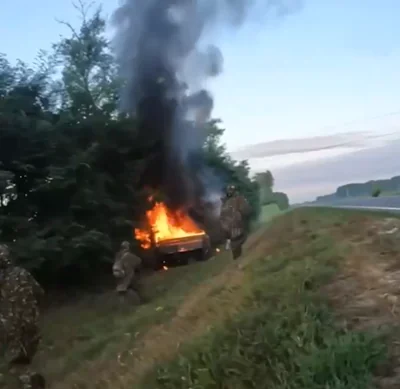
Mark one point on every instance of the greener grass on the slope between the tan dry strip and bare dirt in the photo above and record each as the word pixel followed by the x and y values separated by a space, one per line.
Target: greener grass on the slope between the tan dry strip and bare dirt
pixel 286 338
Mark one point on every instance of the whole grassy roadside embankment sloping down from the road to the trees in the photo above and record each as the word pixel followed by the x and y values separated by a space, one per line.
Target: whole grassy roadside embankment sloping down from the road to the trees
pixel 293 313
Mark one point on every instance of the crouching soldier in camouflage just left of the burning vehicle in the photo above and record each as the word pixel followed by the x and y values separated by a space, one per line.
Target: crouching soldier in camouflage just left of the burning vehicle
pixel 125 270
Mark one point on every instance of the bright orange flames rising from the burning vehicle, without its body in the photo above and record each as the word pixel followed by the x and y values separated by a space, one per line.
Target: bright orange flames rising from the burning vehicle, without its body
pixel 164 225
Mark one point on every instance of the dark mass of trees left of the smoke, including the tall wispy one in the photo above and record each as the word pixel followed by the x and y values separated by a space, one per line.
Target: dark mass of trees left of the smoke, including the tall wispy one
pixel 68 171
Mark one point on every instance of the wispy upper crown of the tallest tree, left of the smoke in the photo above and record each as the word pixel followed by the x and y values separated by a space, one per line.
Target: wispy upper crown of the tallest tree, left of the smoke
pixel 89 72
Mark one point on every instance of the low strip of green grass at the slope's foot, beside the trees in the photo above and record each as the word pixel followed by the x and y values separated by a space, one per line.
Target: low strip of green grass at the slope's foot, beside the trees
pixel 96 326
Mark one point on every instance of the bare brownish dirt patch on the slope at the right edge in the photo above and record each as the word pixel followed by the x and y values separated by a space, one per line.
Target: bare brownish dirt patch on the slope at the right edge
pixel 366 294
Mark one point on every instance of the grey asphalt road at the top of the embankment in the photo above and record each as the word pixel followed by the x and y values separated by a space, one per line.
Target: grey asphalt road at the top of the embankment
pixel 389 203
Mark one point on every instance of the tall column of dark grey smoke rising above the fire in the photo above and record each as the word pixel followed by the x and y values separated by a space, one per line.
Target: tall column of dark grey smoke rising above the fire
pixel 158 44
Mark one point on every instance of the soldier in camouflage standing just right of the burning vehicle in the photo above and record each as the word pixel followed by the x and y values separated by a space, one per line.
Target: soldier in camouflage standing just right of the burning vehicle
pixel 234 213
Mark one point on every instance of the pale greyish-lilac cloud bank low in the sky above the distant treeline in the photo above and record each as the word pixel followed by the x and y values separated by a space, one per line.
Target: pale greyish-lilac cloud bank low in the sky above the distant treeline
pixel 304 173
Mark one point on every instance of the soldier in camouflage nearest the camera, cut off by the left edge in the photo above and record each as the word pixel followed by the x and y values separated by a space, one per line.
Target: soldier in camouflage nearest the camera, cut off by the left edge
pixel 20 296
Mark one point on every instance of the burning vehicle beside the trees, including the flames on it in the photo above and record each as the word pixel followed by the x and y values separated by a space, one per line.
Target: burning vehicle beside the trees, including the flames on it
pixel 172 237
